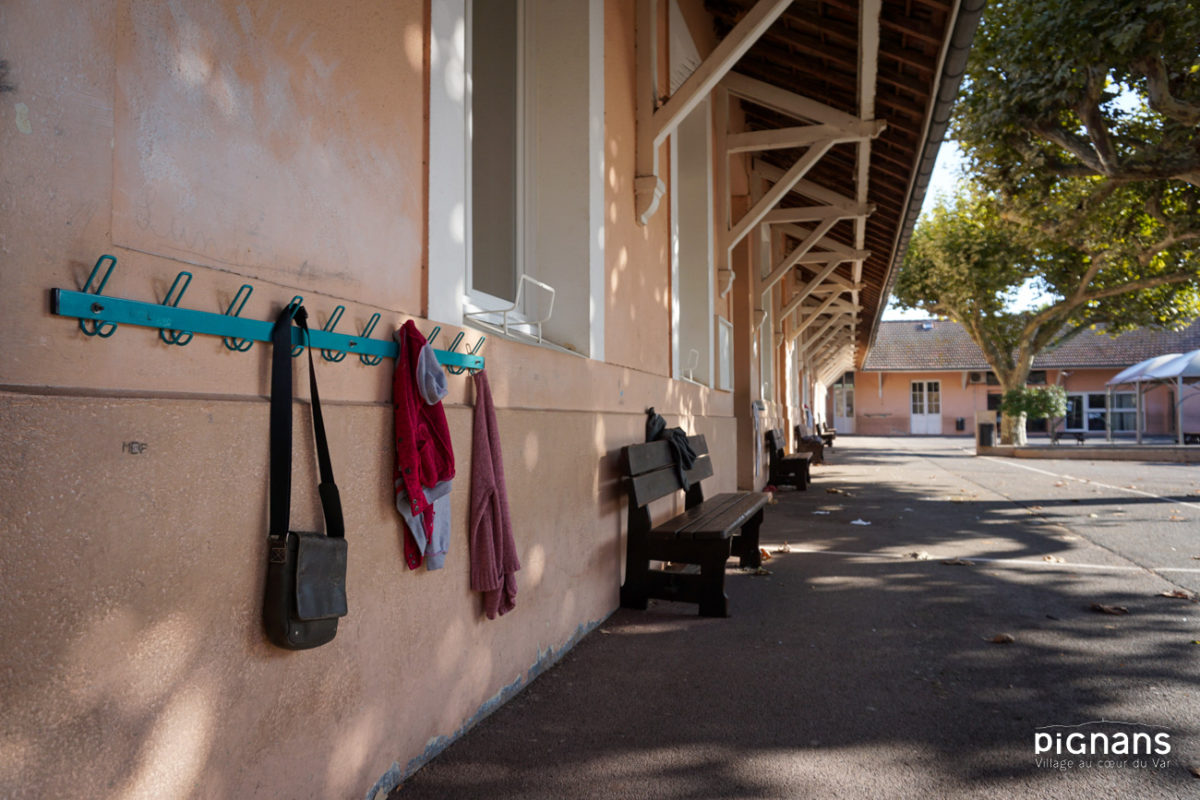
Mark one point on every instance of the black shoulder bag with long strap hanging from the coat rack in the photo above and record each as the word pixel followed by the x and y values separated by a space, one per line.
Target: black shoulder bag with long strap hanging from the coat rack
pixel 305 573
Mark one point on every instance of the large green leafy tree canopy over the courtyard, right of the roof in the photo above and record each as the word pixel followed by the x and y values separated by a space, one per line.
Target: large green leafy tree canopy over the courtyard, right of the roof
pixel 1082 127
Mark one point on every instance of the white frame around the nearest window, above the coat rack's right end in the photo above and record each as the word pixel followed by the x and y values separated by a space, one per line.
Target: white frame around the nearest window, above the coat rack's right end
pixel 575 140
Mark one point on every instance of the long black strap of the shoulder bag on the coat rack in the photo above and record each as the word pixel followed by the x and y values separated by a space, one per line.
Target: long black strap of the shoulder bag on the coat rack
pixel 281 431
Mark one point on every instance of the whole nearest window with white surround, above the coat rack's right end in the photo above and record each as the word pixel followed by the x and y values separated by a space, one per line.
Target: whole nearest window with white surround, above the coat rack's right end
pixel 517 165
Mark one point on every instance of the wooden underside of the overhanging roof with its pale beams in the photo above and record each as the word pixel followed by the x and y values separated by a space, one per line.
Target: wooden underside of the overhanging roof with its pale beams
pixel 892 62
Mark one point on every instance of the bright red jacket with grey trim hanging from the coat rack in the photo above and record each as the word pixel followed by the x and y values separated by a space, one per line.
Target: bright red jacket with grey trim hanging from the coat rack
pixel 424 454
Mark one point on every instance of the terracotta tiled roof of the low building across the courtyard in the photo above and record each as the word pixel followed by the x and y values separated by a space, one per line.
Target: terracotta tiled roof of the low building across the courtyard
pixel 940 345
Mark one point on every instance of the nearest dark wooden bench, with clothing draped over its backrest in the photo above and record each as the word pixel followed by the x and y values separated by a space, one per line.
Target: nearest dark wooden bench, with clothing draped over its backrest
pixel 705 534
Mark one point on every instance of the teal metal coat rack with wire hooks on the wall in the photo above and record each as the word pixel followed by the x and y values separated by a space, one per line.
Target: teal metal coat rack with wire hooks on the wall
pixel 100 316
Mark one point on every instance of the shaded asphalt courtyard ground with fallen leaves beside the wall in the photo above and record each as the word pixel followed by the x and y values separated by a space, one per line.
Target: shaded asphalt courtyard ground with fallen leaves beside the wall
pixel 865 665
